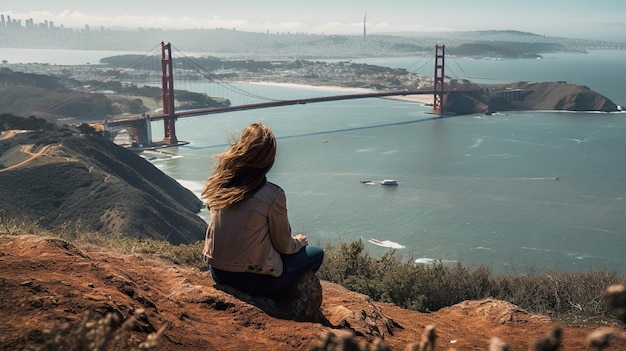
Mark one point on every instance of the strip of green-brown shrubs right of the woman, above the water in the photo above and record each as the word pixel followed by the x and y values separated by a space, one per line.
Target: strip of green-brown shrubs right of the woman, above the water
pixel 573 297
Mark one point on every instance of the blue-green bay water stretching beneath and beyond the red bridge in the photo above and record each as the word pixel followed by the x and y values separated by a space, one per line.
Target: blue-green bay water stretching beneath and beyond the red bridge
pixel 513 190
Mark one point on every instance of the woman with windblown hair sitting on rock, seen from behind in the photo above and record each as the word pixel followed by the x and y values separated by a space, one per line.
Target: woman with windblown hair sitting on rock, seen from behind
pixel 248 243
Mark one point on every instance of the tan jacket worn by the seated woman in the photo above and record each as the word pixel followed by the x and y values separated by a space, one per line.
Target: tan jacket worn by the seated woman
pixel 251 235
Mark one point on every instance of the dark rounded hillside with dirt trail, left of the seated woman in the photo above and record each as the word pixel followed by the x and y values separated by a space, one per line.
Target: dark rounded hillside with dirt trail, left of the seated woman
pixel 57 176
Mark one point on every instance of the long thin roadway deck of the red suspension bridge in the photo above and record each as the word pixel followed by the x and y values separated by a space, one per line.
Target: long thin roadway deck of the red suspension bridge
pixel 212 110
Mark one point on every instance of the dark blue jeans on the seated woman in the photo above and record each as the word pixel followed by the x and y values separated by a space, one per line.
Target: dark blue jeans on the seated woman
pixel 309 258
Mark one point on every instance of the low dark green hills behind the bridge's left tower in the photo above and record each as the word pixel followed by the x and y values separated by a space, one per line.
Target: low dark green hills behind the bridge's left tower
pixel 62 97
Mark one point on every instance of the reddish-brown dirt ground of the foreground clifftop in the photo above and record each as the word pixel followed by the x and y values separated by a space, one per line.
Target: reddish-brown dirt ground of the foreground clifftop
pixel 46 282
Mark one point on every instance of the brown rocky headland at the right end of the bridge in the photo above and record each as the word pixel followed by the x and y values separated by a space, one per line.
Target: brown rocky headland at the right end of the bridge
pixel 528 96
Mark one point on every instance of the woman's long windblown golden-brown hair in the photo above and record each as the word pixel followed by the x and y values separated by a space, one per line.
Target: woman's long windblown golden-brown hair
pixel 240 171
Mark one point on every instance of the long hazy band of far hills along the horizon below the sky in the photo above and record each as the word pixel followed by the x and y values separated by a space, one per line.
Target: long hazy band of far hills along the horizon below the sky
pixel 223 42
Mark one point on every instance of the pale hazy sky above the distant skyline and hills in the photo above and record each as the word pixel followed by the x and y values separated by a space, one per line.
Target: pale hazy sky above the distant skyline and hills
pixel 593 19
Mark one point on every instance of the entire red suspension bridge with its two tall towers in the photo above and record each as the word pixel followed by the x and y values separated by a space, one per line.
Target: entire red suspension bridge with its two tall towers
pixel 139 127
